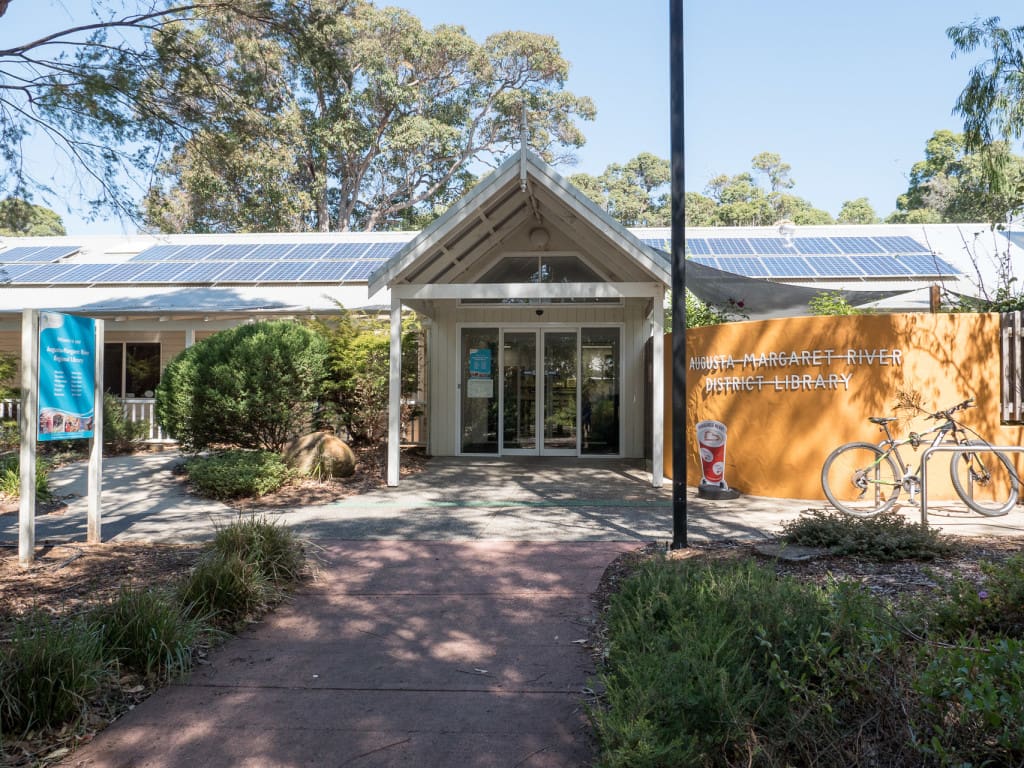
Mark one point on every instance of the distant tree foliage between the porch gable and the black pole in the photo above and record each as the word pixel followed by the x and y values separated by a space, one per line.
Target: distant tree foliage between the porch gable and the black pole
pixel 635 194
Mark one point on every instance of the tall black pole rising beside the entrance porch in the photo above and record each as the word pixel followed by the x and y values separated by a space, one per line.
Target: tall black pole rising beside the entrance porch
pixel 678 280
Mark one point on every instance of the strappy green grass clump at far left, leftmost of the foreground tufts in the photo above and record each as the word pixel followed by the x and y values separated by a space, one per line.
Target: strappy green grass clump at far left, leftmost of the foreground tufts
pixel 48 673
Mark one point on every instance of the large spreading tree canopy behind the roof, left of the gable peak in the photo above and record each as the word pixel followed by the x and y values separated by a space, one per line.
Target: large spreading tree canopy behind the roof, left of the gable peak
pixel 327 116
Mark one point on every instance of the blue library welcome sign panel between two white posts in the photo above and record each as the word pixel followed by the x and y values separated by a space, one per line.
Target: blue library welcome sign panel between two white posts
pixel 67 376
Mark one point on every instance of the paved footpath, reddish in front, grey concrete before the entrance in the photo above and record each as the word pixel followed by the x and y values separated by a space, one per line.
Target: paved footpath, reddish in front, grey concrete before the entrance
pixel 446 628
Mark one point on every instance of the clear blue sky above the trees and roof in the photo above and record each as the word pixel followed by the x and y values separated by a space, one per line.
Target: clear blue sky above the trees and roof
pixel 848 94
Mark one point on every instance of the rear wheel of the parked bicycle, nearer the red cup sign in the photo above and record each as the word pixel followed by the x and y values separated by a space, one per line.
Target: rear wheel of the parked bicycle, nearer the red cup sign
pixel 861 480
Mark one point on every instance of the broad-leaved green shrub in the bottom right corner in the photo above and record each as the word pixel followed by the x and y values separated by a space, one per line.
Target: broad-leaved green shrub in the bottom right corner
pixel 971 710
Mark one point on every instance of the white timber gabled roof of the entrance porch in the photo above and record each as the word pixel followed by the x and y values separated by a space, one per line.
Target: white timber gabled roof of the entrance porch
pixel 524 193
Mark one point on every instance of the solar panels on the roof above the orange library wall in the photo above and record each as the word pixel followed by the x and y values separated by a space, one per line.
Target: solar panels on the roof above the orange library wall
pixel 815 259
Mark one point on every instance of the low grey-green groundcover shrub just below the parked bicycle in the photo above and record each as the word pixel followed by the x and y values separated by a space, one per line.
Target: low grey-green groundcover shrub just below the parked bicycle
pixel 886 537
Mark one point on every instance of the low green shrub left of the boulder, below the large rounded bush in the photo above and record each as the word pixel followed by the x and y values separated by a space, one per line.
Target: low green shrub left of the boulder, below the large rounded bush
pixel 236 475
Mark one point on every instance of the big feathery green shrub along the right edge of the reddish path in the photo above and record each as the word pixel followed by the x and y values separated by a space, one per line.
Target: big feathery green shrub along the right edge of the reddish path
pixel 727 664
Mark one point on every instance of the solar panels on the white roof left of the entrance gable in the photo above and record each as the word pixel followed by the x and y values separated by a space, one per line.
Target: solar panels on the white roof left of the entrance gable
pixel 208 265
